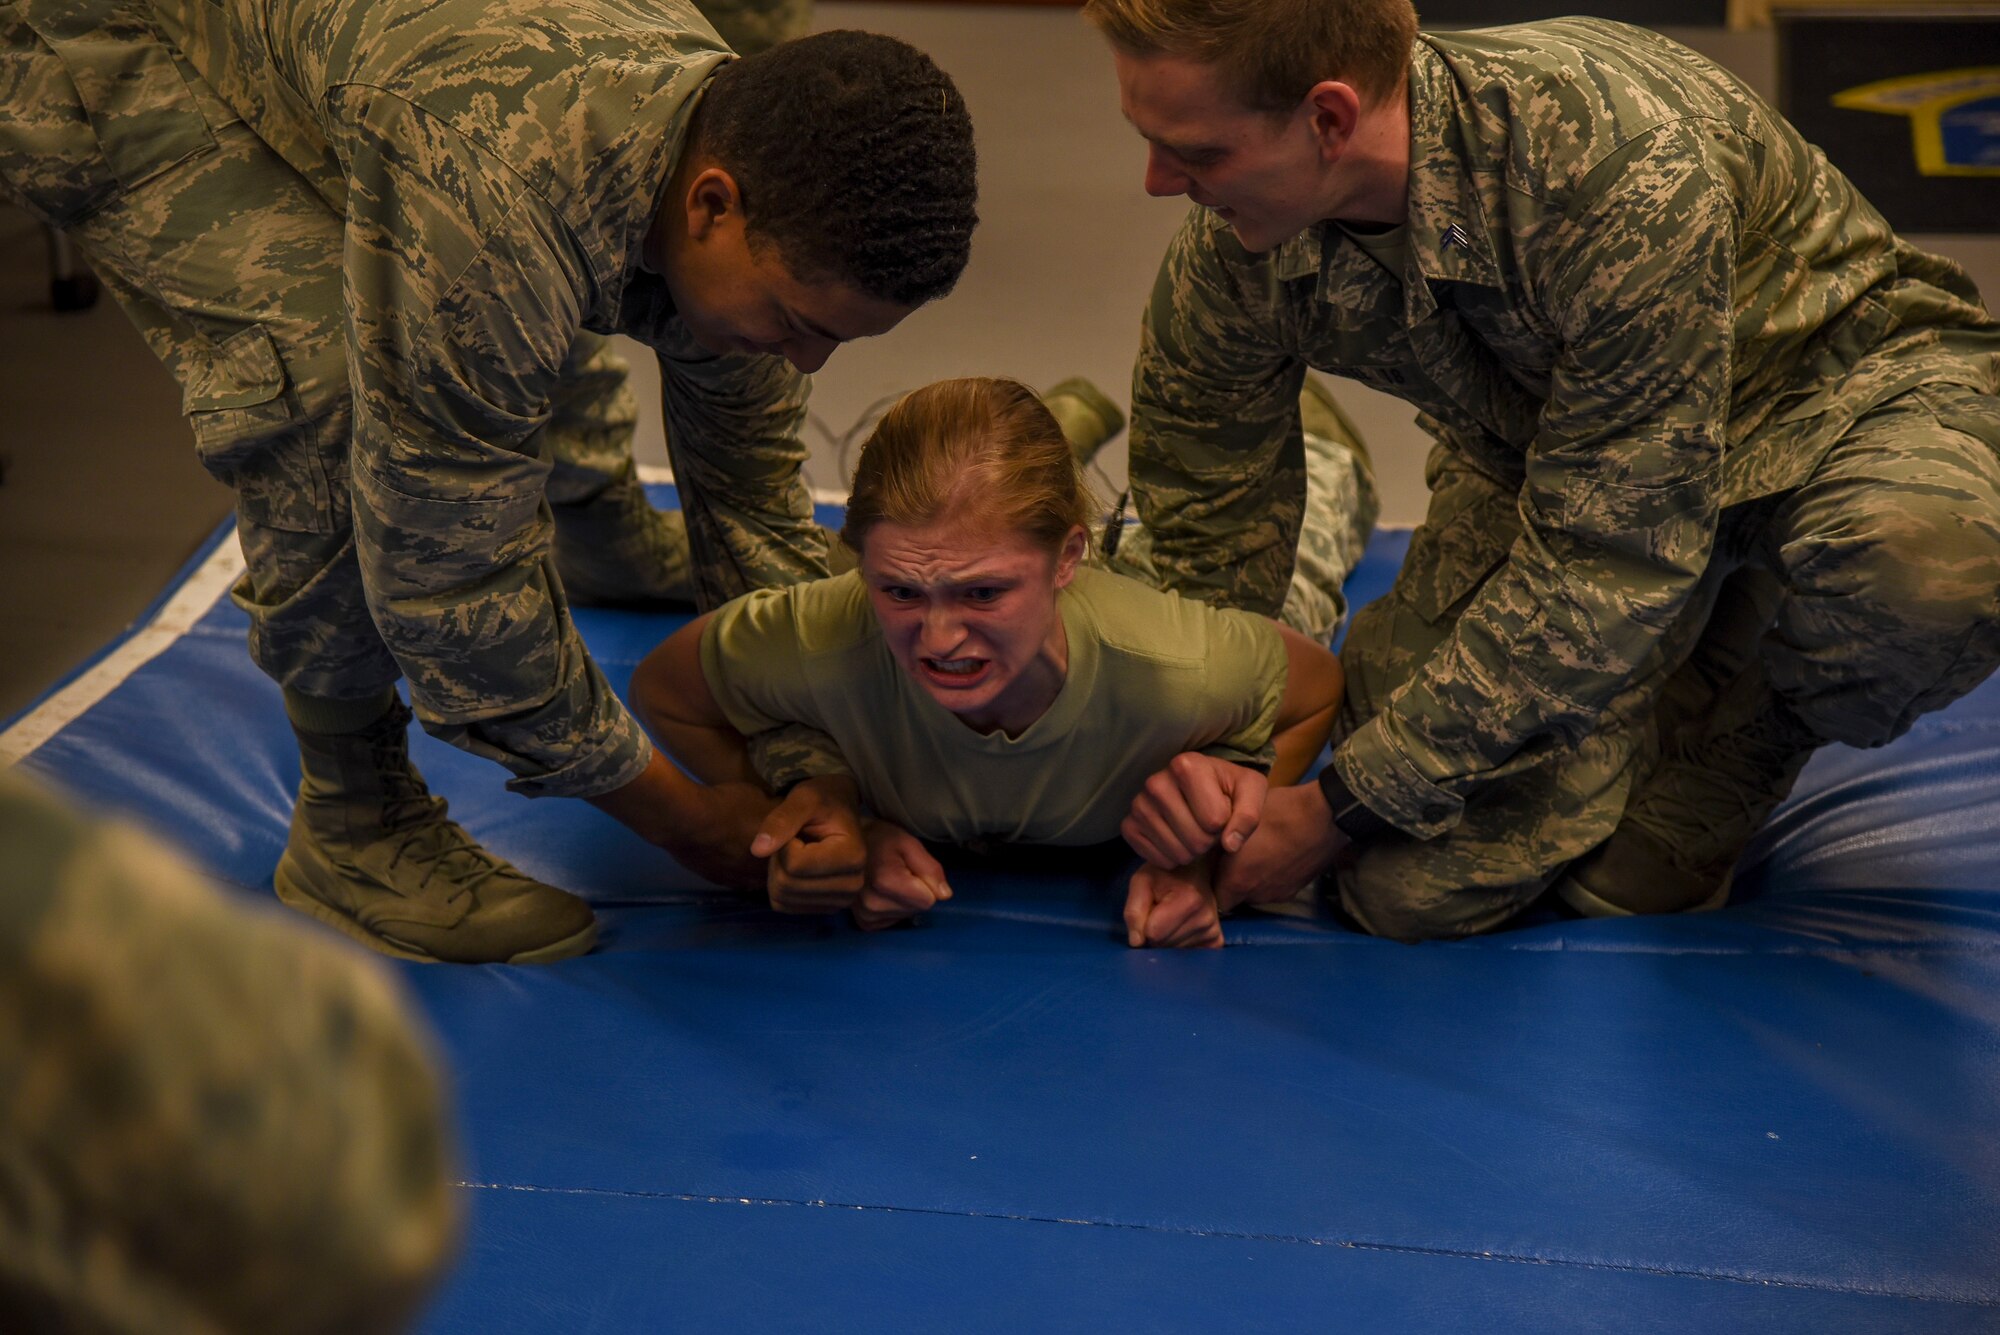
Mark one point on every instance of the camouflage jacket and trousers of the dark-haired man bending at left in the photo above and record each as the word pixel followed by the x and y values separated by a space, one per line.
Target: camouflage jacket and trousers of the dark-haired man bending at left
pixel 379 243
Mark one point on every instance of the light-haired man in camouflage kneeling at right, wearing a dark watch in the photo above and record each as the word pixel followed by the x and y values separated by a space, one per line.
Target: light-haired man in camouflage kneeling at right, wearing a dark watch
pixel 1717 469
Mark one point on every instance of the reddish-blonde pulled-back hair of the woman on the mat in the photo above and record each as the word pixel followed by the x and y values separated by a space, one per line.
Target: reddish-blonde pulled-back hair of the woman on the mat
pixel 975 445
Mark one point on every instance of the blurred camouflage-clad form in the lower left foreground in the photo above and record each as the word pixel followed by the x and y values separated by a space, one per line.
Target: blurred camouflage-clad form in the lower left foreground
pixel 215 1120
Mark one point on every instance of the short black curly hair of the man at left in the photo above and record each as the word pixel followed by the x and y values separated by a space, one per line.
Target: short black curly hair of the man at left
pixel 853 155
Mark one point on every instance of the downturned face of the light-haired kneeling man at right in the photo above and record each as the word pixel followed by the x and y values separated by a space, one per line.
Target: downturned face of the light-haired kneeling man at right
pixel 1259 173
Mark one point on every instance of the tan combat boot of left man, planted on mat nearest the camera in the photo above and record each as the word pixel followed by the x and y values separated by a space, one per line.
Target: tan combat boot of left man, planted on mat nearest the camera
pixel 375 856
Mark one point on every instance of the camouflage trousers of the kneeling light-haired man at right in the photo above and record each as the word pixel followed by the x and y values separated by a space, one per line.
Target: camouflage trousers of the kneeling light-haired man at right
pixel 1863 601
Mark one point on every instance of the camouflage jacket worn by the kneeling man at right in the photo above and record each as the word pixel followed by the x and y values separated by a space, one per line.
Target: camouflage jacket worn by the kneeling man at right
pixel 1633 295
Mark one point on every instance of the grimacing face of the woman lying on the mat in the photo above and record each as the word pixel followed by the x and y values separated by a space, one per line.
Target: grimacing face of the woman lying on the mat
pixel 969 611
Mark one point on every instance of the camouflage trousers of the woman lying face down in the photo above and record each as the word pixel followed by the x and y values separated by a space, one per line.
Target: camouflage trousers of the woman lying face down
pixel 1341 513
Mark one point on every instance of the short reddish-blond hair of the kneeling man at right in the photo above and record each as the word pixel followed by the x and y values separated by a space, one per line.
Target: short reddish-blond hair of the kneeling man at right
pixel 1271 51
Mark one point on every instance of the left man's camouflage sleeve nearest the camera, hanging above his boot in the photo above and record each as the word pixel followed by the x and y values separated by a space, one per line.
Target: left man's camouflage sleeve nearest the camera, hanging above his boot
pixel 465 297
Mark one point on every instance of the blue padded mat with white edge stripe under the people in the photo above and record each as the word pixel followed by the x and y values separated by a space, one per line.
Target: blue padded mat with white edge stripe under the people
pixel 1775 1118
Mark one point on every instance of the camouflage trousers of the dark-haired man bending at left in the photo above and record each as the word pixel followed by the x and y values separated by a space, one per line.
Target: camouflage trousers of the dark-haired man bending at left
pixel 229 263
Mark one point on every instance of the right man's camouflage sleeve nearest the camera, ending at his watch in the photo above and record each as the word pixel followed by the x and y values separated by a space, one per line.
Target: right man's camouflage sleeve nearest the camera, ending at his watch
pixel 1619 505
